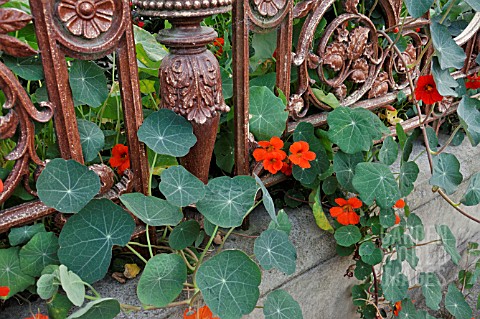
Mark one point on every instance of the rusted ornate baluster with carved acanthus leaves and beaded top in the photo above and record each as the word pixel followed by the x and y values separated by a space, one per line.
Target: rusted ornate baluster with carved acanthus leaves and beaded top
pixel 190 82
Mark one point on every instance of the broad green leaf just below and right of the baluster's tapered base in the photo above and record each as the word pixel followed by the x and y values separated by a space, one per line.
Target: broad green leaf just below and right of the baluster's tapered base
pixel 227 200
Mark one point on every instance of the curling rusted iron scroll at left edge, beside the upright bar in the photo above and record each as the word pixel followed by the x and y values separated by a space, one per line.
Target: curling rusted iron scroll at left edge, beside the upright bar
pixel 19 119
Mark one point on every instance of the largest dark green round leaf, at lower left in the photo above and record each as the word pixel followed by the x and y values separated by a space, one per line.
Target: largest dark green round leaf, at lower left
pixel 87 238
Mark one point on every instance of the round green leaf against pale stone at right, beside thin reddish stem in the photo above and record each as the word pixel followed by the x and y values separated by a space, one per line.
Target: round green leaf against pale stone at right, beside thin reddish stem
pixel 446 172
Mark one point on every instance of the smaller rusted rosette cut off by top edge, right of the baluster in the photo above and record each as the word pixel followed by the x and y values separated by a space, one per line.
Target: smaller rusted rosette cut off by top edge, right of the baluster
pixel 266 14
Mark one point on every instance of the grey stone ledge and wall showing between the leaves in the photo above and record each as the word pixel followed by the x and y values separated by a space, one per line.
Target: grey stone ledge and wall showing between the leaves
pixel 319 284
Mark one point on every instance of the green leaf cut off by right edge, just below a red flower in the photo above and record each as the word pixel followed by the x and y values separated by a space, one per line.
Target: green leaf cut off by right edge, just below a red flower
pixel 469 113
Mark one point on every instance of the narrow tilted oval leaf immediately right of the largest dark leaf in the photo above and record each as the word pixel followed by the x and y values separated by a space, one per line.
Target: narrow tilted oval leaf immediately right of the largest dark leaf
pixel 151 210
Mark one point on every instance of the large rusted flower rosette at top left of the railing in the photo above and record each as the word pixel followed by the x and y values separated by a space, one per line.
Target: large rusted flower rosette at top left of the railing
pixel 88 29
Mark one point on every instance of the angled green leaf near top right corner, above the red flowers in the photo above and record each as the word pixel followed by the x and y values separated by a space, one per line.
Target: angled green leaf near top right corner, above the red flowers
pixel 449 53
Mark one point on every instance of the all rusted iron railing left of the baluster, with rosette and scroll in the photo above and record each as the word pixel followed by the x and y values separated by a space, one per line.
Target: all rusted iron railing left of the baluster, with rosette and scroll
pixel 84 30
